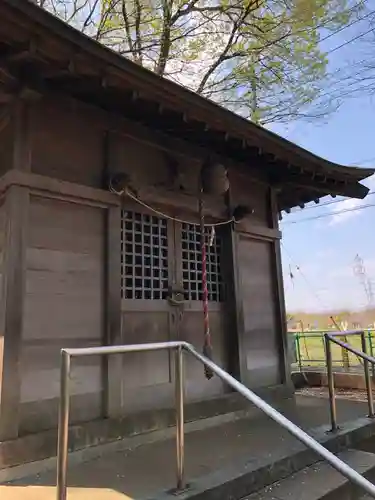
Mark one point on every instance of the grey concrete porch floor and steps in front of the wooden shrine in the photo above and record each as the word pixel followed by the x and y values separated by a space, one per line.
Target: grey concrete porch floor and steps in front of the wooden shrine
pixel 240 459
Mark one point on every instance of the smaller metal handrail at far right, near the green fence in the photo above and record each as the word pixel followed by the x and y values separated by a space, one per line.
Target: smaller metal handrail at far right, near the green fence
pixel 367 359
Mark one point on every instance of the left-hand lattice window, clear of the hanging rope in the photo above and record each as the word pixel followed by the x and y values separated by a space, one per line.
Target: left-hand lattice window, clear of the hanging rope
pixel 144 256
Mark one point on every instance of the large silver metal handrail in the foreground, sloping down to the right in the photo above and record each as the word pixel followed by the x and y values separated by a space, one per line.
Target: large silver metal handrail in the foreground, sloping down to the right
pixel 179 348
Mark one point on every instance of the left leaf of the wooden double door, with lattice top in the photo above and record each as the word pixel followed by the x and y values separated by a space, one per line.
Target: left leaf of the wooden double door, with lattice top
pixel 146 276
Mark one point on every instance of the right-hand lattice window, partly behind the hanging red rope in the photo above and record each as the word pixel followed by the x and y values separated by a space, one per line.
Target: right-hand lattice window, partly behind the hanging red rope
pixel 192 264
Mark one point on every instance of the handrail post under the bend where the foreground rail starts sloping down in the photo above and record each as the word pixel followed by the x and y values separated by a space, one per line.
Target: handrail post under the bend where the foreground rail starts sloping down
pixel 180 447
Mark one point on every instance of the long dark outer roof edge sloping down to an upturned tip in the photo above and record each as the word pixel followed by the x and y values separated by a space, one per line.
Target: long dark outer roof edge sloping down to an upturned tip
pixel 167 90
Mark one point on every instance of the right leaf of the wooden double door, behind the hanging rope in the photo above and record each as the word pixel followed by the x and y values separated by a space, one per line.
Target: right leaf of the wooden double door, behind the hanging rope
pixel 189 274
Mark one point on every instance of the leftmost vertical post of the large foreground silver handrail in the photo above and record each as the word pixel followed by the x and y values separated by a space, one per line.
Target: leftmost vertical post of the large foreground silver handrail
pixel 63 429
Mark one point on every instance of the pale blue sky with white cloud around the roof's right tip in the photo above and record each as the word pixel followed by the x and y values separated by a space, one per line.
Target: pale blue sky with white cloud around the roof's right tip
pixel 324 249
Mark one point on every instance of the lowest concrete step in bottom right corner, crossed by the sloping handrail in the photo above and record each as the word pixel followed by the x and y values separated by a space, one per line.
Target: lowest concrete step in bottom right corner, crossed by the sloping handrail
pixel 320 481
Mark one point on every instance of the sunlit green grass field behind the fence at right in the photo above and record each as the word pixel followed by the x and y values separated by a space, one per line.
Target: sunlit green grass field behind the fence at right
pixel 310 349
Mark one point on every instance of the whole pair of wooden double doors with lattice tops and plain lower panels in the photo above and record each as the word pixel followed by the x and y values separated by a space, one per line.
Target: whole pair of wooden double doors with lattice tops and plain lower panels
pixel 162 300
